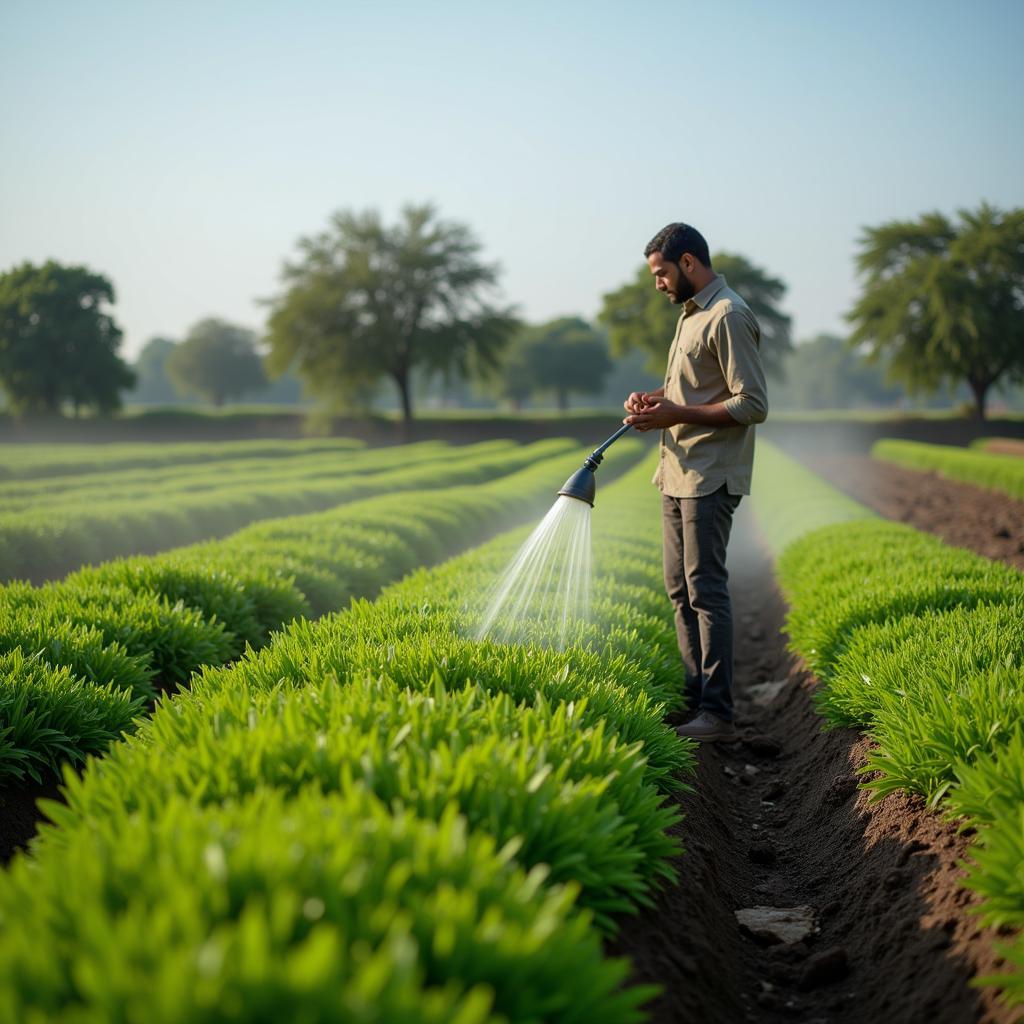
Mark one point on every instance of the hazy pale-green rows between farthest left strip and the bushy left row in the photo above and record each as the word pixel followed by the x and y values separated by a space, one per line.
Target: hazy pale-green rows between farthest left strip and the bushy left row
pixel 50 526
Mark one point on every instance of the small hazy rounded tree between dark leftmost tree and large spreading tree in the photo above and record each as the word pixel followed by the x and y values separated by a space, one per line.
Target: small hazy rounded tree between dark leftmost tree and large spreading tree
pixel 218 361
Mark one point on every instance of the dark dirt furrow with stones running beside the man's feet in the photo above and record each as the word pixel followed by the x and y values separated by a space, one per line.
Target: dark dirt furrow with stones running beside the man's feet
pixel 777 821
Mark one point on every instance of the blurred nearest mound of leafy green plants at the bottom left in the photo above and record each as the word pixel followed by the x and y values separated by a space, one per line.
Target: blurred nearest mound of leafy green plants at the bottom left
pixel 332 906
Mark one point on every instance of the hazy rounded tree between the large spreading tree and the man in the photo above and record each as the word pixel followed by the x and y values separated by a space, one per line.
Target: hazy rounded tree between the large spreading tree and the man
pixel 563 356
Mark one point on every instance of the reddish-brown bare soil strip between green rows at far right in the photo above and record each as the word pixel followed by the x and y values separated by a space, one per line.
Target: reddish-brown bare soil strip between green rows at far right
pixel 987 522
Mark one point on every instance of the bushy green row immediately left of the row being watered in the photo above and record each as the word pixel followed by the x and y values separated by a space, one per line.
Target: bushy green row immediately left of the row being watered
pixel 142 625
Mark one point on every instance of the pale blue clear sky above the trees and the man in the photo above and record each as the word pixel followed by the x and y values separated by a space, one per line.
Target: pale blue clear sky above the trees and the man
pixel 183 149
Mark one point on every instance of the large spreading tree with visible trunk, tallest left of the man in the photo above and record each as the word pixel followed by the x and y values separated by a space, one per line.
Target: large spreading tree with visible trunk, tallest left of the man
pixel 369 302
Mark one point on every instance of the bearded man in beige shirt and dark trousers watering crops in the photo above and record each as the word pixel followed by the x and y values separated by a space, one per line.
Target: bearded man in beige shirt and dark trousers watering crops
pixel 714 394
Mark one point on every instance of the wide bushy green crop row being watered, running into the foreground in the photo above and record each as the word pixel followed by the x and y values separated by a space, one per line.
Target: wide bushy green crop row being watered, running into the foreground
pixel 374 819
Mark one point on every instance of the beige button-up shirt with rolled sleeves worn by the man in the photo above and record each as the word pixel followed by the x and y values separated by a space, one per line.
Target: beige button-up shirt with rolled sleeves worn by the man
pixel 715 357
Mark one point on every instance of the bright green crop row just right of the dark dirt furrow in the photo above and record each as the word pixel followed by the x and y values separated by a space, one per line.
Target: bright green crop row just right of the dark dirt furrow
pixel 920 645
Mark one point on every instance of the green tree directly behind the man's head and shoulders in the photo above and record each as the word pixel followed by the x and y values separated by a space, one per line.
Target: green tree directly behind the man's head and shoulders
pixel 637 316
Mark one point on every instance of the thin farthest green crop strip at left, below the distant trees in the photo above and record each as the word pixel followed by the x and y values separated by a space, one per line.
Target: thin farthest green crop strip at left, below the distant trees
pixel 27 461
